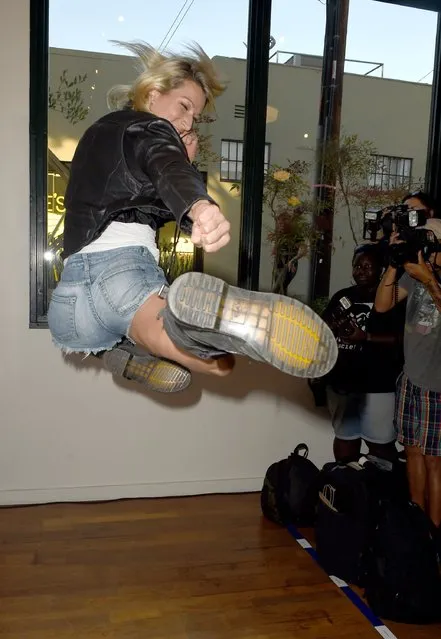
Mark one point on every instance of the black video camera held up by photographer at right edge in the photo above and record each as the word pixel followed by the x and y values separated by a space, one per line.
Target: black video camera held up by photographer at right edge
pixel 407 223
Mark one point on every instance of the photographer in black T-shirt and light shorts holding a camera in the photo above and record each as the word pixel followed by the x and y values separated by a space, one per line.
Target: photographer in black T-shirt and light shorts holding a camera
pixel 361 388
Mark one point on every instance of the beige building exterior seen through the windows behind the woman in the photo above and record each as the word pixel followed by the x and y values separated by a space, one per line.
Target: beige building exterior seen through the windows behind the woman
pixel 394 115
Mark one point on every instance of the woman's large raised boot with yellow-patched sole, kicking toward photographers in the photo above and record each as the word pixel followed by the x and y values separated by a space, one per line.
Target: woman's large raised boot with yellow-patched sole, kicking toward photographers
pixel 264 326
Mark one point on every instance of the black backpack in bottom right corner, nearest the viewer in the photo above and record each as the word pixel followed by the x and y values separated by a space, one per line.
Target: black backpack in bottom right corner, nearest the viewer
pixel 402 579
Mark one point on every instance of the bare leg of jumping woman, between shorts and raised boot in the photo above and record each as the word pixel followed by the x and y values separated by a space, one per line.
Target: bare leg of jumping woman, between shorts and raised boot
pixel 147 331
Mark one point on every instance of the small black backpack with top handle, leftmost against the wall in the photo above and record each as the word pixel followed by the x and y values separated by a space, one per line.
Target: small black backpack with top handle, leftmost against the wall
pixel 289 493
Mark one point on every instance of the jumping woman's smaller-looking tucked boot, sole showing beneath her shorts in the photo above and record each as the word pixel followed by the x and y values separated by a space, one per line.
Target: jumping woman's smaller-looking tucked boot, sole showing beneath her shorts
pixel 136 364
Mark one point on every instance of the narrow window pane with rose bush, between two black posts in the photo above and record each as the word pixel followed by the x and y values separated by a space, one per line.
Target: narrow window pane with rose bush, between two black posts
pixel 292 119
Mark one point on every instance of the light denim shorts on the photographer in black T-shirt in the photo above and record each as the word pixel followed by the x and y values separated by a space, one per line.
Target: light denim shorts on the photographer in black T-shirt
pixel 368 416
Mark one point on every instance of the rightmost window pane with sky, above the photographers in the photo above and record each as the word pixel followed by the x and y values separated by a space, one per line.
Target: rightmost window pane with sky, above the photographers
pixel 398 79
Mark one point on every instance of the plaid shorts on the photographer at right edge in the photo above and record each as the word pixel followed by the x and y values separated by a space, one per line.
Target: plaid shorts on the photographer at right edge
pixel 418 417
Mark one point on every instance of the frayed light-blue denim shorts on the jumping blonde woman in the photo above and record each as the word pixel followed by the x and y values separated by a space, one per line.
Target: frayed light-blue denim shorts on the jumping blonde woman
pixel 94 303
